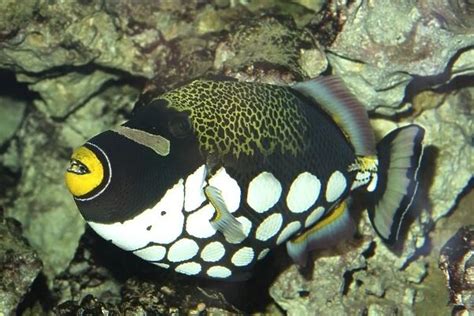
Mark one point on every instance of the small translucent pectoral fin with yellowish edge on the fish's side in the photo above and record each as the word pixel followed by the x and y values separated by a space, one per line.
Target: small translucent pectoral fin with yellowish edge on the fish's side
pixel 223 220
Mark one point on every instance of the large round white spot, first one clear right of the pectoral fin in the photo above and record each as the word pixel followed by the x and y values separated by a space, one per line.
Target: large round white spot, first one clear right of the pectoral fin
pixel 264 191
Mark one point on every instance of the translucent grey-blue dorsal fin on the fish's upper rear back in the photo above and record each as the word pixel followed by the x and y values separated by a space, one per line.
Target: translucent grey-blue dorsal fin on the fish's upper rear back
pixel 334 98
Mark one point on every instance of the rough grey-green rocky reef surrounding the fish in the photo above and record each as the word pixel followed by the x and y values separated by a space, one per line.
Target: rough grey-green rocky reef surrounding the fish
pixel 71 69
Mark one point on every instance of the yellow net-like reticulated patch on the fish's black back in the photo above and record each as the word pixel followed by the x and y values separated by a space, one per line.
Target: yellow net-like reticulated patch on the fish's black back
pixel 238 118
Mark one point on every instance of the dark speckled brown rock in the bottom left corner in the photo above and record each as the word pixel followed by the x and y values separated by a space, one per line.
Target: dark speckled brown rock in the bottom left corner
pixel 19 265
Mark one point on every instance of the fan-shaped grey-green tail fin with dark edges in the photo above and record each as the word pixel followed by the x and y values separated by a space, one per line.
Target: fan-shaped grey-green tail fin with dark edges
pixel 399 156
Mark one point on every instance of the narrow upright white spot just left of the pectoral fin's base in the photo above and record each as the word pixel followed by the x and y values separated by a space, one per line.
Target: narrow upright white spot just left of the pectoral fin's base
pixel 194 189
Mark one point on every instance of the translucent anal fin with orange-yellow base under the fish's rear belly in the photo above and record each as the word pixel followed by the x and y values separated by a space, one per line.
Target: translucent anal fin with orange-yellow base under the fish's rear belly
pixel 329 231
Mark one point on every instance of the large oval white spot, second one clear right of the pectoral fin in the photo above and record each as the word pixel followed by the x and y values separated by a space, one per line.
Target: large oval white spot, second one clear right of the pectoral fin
pixel 304 192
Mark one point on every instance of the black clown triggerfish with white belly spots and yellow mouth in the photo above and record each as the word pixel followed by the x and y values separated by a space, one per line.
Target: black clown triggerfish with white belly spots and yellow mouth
pixel 208 178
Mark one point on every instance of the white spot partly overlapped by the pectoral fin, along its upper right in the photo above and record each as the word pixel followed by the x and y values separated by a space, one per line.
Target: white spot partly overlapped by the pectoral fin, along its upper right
pixel 229 188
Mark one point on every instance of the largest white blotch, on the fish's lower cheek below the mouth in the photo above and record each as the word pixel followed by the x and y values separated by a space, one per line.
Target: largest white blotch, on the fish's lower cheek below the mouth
pixel 161 224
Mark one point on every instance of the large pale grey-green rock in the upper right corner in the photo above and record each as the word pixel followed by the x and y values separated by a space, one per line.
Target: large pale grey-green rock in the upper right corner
pixel 385 44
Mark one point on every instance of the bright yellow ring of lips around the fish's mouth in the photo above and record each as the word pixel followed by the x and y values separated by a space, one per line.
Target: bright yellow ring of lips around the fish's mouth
pixel 92 175
